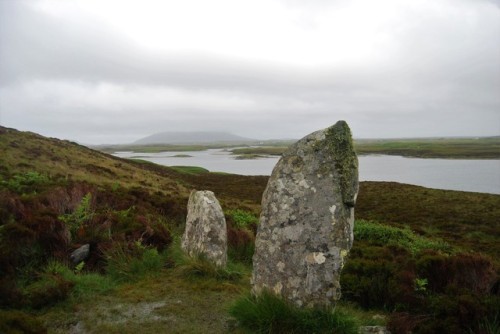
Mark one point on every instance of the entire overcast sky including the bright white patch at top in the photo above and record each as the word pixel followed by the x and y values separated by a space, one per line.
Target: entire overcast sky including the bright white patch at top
pixel 113 71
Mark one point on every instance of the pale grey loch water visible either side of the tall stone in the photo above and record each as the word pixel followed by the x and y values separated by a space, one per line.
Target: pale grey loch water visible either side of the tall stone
pixel 453 174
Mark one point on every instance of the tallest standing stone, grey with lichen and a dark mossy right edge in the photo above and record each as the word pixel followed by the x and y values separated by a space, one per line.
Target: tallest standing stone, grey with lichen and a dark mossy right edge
pixel 307 219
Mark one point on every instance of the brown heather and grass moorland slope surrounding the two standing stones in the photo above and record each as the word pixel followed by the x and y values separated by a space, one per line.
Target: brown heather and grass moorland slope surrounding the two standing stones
pixel 427 260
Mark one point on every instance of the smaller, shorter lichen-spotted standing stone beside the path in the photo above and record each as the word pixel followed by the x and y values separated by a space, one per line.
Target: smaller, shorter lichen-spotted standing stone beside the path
pixel 205 233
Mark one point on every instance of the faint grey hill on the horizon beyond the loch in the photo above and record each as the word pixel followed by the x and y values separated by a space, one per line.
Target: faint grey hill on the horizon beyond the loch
pixel 200 137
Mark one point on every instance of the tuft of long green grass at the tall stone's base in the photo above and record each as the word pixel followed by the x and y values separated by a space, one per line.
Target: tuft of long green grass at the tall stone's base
pixel 268 313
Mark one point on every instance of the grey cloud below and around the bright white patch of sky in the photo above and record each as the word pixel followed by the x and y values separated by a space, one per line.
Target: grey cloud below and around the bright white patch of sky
pixel 441 78
